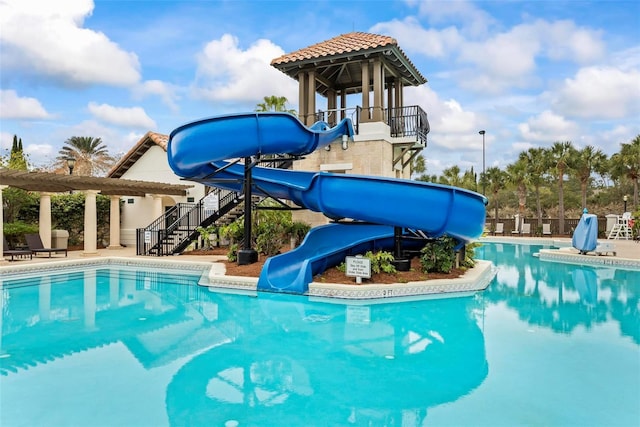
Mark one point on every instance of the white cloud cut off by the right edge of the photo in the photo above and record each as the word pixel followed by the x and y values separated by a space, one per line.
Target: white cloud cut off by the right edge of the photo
pixel 599 93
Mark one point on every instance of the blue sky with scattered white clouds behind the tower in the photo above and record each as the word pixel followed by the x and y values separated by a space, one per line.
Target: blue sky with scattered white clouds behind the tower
pixel 529 72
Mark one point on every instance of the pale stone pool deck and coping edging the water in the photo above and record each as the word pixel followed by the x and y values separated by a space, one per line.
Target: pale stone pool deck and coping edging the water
pixel 627 255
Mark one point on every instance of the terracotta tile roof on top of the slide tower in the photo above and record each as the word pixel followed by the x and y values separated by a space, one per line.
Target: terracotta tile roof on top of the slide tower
pixel 344 43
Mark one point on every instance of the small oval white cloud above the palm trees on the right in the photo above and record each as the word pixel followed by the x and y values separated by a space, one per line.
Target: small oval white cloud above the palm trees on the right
pixel 548 127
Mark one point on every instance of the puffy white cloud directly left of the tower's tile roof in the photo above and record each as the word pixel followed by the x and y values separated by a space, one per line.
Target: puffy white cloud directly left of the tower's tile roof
pixel 227 73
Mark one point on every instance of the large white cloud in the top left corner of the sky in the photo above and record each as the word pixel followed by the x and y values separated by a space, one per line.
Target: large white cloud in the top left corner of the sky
pixel 45 38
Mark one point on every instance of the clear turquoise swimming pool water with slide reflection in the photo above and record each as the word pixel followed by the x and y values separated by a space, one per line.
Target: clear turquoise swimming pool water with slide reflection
pixel 547 344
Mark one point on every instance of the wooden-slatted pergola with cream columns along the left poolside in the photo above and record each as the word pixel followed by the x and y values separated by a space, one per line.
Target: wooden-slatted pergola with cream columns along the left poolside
pixel 48 183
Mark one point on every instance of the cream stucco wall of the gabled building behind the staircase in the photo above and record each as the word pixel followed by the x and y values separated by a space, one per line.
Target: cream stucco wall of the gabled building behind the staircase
pixel 138 212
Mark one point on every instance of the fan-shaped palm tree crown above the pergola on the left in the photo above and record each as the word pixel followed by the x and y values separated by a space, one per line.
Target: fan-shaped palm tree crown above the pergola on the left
pixel 92 157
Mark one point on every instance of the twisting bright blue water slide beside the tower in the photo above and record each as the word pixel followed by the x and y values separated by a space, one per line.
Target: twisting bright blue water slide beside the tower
pixel 199 150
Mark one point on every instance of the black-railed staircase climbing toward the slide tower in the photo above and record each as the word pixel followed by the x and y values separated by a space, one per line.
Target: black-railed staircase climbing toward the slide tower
pixel 173 232
